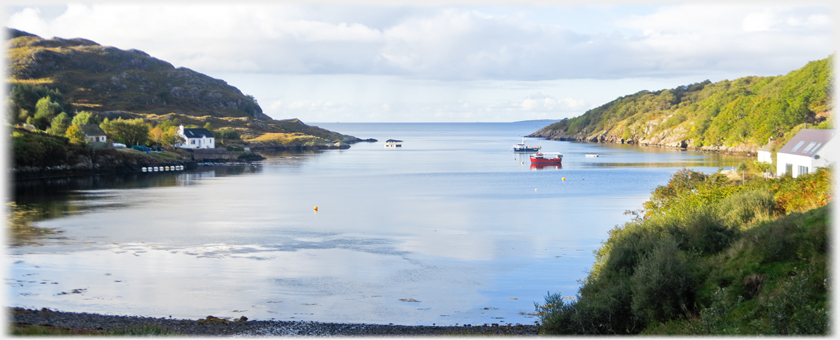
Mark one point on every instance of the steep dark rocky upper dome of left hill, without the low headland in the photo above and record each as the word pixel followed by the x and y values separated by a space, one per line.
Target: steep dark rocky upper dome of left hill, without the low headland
pixel 101 79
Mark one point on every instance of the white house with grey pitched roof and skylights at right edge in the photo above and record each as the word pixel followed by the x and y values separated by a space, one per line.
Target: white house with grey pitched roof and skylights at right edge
pixel 808 150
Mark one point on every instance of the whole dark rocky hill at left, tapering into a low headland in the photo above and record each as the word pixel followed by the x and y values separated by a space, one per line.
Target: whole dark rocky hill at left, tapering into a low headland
pixel 82 75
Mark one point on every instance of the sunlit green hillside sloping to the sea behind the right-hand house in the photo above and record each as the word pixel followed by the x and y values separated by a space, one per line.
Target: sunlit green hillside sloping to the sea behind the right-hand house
pixel 738 115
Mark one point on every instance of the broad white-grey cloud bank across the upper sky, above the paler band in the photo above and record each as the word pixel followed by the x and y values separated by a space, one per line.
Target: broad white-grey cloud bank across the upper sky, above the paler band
pixel 452 43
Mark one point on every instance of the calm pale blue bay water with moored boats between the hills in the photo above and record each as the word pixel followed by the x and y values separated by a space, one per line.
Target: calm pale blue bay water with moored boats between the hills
pixel 453 228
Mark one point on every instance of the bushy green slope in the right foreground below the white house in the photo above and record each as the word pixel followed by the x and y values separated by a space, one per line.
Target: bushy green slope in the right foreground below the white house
pixel 710 256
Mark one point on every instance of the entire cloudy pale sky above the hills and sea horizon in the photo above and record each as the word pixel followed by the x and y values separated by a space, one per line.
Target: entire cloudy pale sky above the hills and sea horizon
pixel 490 61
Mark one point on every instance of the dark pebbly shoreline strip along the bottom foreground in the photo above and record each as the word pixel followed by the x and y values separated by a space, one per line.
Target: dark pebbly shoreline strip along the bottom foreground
pixel 212 326
